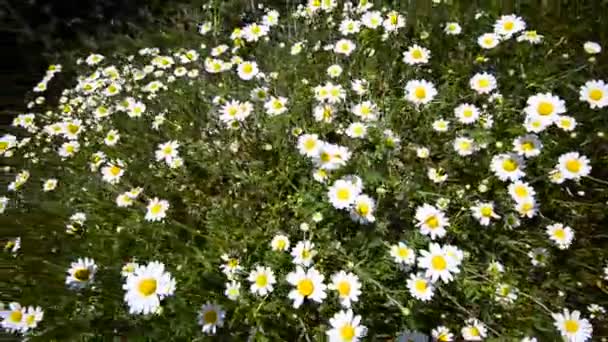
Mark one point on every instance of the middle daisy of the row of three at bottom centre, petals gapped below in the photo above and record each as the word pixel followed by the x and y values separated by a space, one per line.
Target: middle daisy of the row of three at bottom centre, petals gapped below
pixel 307 285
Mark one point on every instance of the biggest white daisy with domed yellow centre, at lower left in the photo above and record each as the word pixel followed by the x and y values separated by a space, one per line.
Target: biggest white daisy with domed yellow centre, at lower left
pixel 146 287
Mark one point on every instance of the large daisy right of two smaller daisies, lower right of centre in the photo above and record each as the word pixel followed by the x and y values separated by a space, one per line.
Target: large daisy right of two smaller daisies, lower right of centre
pixel 437 263
